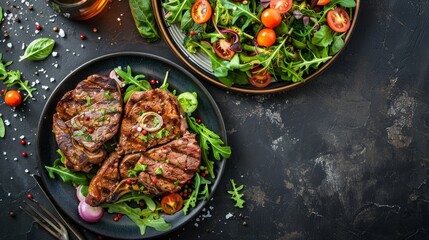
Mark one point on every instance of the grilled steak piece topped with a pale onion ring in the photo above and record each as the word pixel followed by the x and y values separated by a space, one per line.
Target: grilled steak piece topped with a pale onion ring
pixel 132 138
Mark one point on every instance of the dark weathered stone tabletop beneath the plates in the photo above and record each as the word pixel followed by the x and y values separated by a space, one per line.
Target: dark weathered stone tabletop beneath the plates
pixel 342 157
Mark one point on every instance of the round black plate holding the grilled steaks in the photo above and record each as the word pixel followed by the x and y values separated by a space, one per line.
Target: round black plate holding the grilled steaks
pixel 154 67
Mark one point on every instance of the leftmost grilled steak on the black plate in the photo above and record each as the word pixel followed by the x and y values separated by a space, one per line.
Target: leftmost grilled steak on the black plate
pixel 87 117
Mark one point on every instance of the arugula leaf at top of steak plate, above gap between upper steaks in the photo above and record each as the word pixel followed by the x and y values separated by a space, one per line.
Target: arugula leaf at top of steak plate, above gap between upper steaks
pixel 137 82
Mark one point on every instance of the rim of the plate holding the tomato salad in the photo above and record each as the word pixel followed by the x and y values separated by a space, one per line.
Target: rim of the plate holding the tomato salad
pixel 162 26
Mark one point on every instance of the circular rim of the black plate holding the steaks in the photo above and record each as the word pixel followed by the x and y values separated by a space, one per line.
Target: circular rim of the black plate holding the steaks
pixel 220 122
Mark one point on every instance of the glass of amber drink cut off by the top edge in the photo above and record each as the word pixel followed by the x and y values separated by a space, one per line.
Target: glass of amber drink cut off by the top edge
pixel 78 9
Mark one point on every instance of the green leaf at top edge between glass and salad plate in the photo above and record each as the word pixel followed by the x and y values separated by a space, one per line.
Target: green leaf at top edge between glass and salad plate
pixel 144 19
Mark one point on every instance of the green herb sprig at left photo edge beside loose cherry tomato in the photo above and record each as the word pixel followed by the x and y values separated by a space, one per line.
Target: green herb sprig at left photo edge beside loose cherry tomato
pixel 13 77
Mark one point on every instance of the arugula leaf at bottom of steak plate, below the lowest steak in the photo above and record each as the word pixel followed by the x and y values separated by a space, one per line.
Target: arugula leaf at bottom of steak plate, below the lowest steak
pixel 141 217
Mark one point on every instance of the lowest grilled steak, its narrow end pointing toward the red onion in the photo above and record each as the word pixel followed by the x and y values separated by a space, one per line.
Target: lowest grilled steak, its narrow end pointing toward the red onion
pixel 158 171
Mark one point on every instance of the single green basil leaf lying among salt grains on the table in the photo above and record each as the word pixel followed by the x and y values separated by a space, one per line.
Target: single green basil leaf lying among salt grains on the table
pixel 38 49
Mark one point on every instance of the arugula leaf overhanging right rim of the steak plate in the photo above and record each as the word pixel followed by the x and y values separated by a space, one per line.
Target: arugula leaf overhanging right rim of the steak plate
pixel 209 140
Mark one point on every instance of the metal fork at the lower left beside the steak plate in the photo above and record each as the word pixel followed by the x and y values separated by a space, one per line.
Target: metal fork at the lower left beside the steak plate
pixel 57 230
